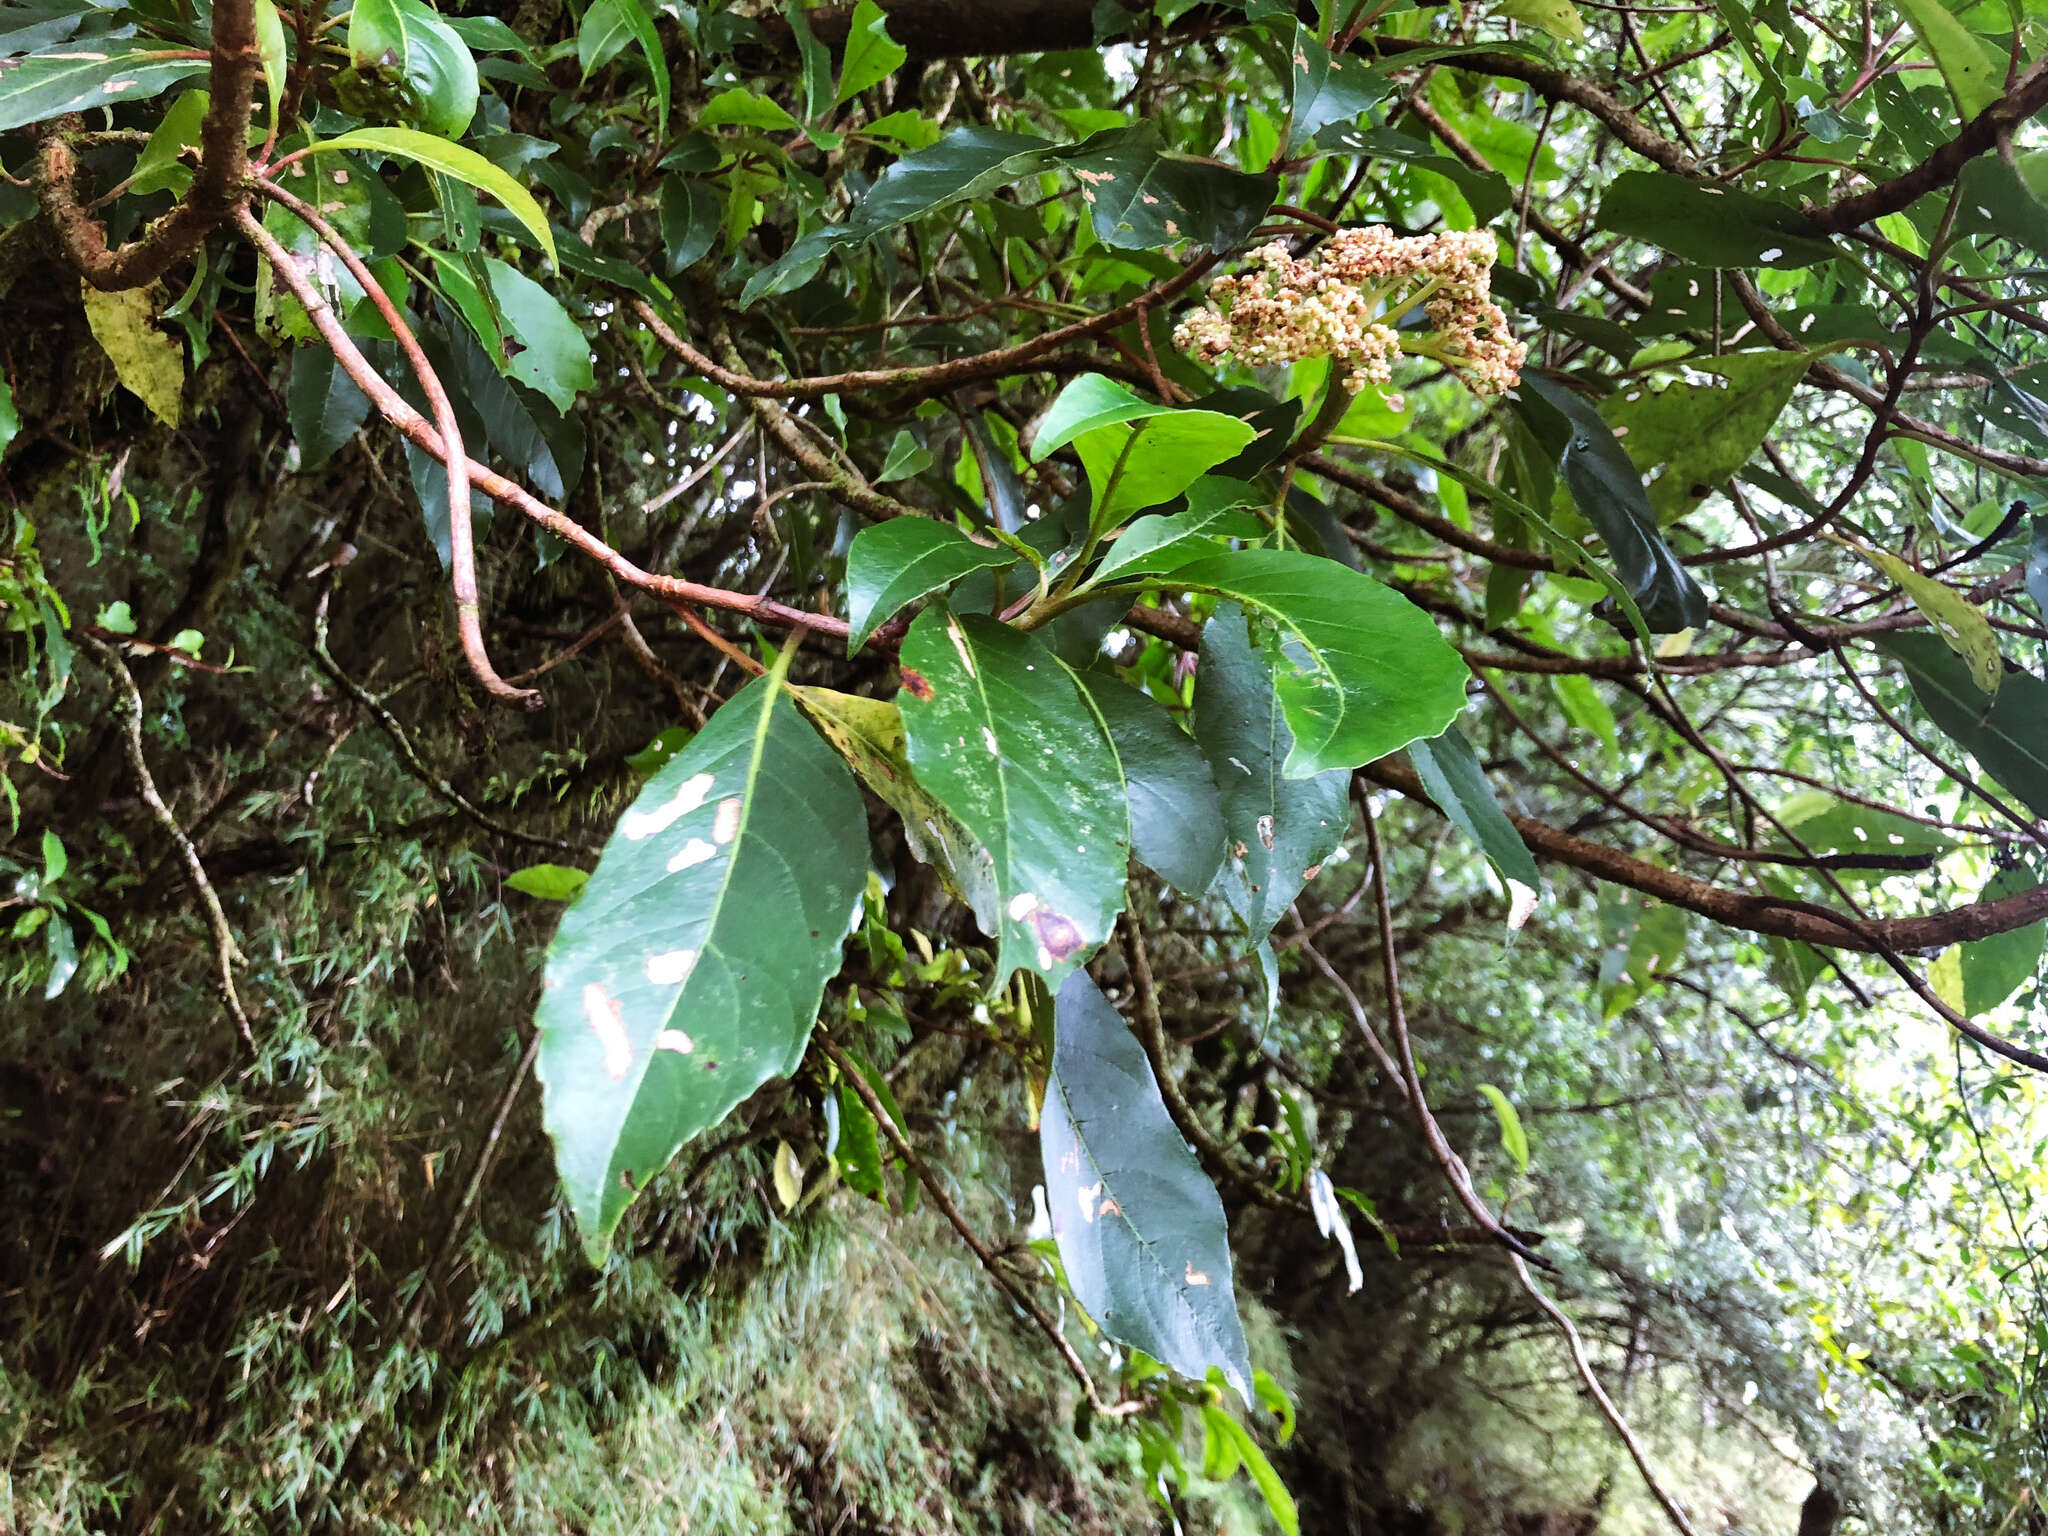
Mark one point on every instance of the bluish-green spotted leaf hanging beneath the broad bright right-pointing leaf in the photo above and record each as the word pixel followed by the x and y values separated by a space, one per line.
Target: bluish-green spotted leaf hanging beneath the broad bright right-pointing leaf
pixel 1277 830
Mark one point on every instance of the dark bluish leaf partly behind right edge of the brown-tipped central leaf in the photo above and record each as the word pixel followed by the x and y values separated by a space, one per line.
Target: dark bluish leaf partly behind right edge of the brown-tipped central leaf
pixel 1177 820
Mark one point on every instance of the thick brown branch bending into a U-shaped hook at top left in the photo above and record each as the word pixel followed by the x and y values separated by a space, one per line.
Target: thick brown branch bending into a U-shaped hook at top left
pixel 214 196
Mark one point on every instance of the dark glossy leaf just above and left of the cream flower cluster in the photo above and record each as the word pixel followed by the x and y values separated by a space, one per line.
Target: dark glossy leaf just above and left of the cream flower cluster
pixel 1146 200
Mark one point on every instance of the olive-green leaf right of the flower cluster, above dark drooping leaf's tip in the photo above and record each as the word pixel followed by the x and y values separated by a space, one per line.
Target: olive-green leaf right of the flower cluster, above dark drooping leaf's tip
pixel 1707 427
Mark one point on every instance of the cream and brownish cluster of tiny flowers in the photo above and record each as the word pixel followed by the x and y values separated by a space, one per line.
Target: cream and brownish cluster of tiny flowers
pixel 1340 304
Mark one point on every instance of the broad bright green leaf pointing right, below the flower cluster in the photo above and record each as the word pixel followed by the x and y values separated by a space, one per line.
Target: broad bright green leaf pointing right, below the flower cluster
pixel 1361 669
